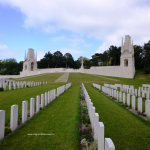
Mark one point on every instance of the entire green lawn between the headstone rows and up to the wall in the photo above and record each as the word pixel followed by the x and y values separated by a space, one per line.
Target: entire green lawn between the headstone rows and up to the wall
pixel 128 132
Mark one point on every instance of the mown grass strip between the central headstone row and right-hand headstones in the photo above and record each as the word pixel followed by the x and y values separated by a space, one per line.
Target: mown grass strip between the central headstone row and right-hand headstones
pixel 127 131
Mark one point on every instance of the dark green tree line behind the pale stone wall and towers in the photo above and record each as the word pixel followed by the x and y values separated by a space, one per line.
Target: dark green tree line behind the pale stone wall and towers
pixel 110 57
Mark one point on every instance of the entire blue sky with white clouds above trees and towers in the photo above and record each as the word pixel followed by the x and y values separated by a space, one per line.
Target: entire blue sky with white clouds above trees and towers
pixel 79 27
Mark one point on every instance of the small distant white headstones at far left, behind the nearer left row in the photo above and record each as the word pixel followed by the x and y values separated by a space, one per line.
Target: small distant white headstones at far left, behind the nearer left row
pixel 19 84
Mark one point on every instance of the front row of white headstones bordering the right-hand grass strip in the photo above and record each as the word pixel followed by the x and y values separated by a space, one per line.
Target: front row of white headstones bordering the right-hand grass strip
pixel 121 96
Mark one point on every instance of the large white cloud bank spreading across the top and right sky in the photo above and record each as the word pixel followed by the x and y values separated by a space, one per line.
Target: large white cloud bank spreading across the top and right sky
pixel 106 20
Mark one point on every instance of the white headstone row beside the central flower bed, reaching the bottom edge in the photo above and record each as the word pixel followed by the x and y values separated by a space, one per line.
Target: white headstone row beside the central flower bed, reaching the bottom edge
pixel 97 126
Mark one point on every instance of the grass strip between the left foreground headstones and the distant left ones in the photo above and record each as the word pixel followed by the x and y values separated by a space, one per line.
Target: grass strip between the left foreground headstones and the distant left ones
pixel 9 98
